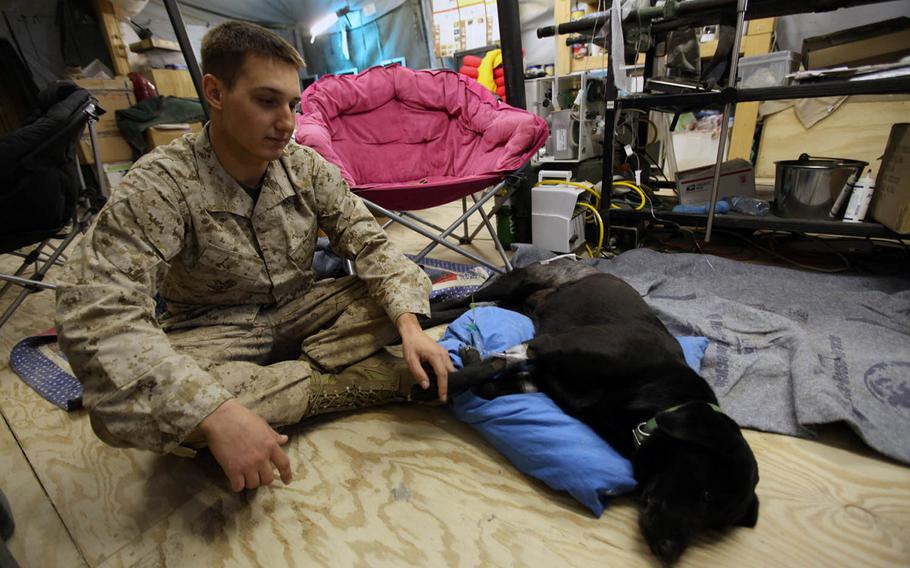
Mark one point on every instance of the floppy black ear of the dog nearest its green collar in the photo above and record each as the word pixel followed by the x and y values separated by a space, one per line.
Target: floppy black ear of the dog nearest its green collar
pixel 700 424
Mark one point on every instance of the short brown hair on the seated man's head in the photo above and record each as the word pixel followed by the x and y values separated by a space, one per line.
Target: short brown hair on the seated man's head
pixel 225 47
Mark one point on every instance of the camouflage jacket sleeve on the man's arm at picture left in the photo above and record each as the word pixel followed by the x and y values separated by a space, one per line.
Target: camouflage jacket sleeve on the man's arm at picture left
pixel 139 391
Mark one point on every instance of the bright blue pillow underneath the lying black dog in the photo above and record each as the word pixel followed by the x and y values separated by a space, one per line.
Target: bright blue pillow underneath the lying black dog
pixel 529 429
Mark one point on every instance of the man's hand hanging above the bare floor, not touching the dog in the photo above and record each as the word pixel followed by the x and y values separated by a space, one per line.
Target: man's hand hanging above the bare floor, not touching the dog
pixel 245 446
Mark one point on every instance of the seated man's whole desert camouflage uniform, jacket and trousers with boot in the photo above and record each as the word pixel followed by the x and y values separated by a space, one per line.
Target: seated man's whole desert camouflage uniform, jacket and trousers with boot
pixel 244 317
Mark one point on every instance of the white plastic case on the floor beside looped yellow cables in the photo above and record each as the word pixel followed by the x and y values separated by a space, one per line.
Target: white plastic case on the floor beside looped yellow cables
pixel 555 225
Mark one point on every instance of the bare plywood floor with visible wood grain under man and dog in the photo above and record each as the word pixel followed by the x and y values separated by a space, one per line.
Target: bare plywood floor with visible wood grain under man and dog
pixel 402 485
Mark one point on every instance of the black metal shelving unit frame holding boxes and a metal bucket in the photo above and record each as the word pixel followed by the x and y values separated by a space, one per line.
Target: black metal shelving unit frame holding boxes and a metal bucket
pixel 675 15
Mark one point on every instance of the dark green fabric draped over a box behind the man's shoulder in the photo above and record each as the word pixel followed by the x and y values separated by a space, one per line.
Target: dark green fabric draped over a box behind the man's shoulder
pixel 134 121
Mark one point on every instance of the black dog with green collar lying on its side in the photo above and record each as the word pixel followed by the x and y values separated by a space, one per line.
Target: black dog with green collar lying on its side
pixel 604 357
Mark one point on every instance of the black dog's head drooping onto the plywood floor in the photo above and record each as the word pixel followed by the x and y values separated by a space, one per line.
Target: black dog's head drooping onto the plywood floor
pixel 696 472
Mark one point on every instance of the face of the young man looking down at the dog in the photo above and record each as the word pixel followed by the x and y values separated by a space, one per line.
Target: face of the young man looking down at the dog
pixel 257 113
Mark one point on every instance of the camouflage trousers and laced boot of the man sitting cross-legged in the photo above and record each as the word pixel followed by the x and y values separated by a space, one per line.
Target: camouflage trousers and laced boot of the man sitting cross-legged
pixel 319 353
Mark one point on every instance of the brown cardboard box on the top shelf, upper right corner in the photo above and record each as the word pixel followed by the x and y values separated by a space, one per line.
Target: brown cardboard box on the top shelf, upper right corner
pixel 881 42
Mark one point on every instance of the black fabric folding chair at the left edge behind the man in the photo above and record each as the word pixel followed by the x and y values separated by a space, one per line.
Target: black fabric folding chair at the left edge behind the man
pixel 44 199
